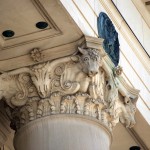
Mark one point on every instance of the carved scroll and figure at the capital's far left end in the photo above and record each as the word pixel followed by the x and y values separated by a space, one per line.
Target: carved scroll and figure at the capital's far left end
pixel 15 88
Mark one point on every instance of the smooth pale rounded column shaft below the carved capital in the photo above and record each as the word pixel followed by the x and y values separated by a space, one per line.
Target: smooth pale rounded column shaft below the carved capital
pixel 63 132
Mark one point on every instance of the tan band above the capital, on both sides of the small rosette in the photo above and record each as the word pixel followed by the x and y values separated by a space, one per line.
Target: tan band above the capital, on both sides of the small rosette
pixel 49 54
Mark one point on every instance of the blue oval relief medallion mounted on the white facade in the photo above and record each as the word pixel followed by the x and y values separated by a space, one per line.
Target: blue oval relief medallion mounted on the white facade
pixel 106 30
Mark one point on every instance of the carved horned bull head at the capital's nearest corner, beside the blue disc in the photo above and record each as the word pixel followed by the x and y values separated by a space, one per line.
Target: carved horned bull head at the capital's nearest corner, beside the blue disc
pixel 90 60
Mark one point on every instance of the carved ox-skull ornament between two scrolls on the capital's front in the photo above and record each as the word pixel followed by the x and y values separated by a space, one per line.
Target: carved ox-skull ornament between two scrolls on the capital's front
pixel 41 80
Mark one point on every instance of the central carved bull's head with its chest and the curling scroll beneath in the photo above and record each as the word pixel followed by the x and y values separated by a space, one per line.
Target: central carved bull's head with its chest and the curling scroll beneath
pixel 82 73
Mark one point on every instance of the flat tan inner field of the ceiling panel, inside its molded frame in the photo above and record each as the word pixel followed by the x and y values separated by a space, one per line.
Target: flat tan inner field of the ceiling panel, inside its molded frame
pixel 20 18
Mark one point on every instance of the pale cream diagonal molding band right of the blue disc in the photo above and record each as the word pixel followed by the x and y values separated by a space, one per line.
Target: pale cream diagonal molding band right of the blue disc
pixel 127 33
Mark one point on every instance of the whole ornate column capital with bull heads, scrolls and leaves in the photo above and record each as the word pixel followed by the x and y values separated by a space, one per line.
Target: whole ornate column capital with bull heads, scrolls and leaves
pixel 79 84
